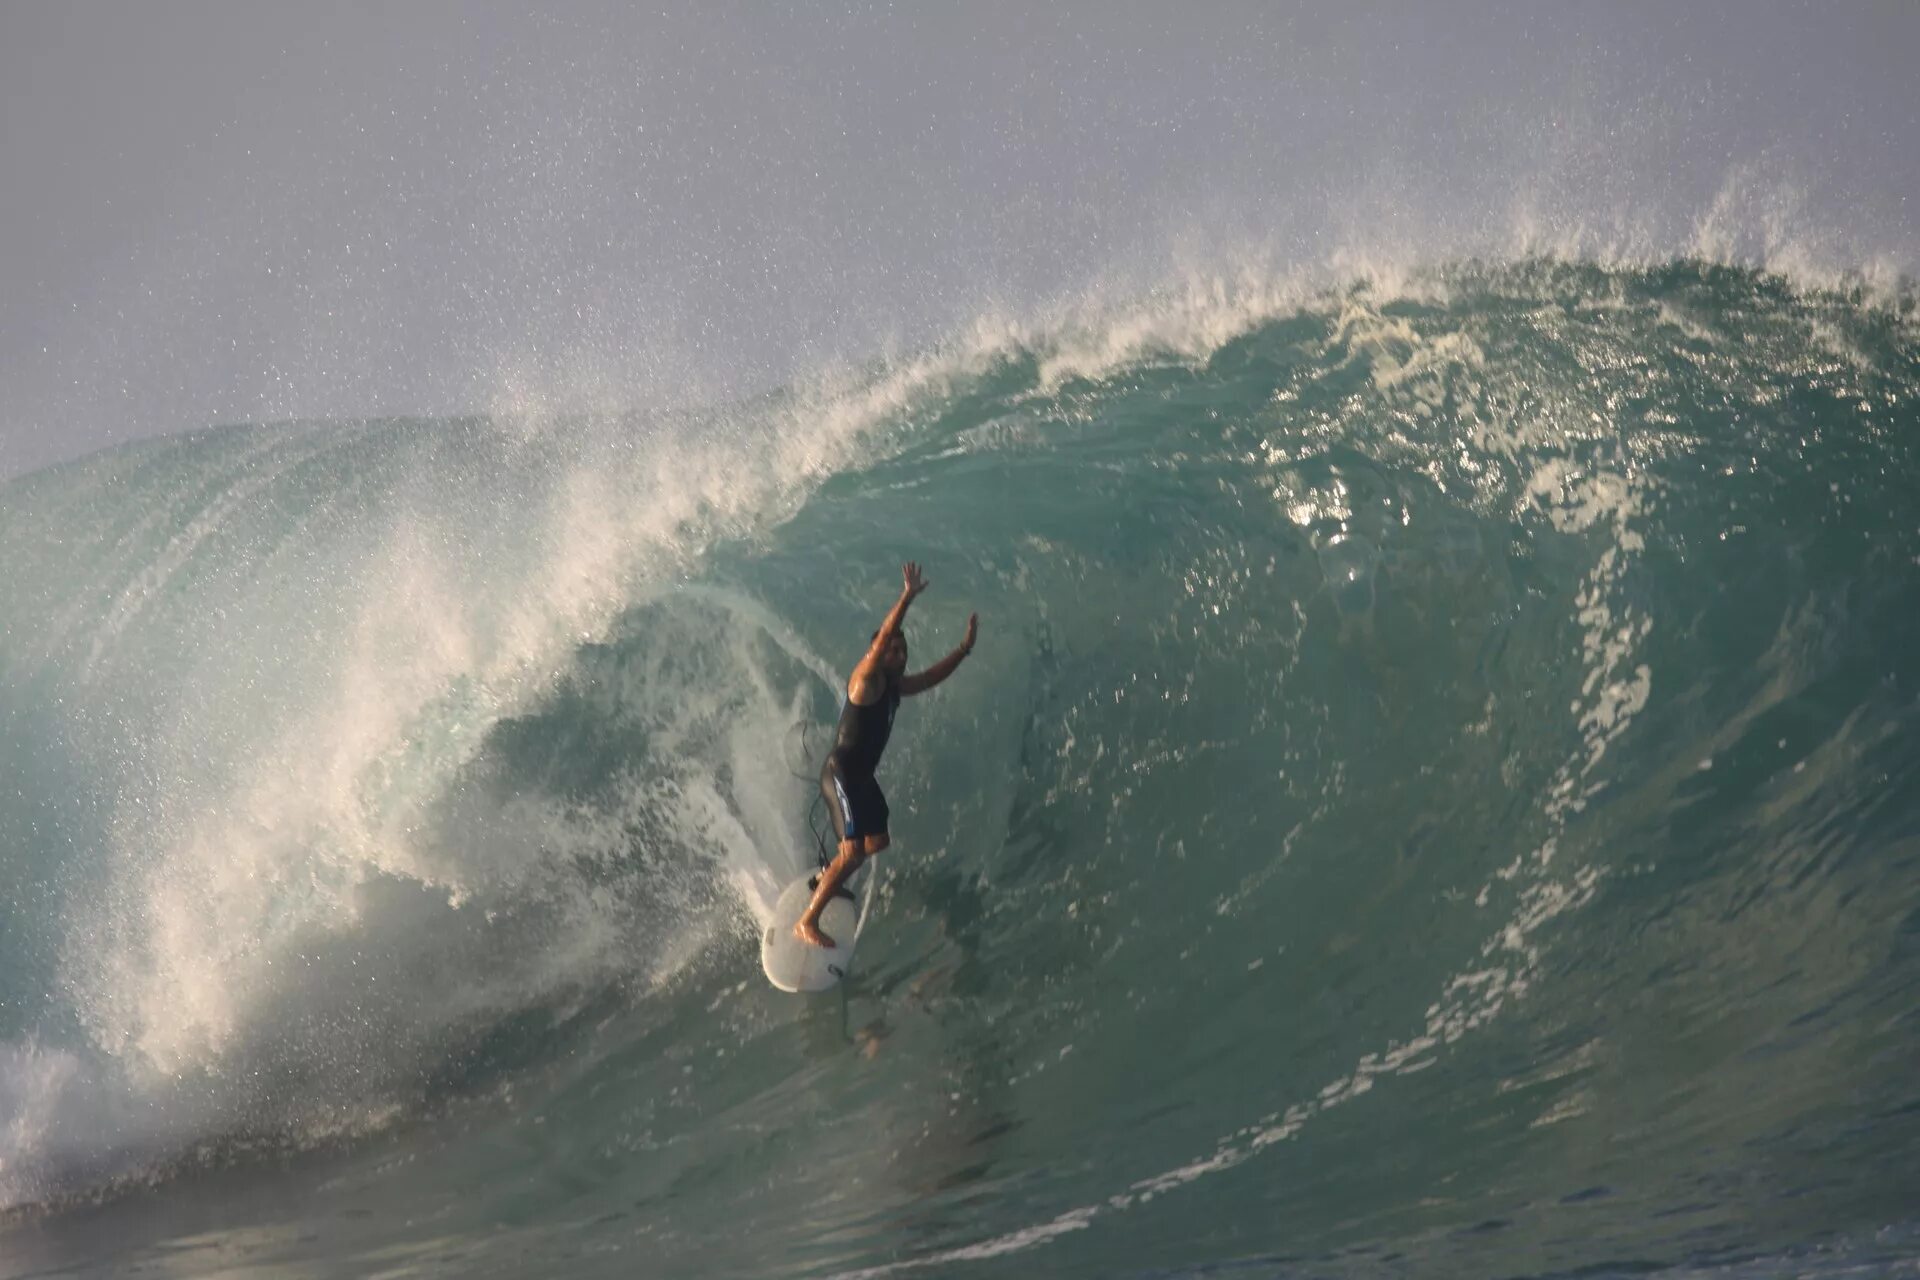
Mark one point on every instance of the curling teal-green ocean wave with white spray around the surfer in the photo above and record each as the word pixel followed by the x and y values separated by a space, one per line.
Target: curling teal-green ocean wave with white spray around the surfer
pixel 1435 797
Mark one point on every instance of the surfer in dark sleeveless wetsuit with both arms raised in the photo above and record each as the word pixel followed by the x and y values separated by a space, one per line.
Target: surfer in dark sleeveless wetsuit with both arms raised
pixel 853 797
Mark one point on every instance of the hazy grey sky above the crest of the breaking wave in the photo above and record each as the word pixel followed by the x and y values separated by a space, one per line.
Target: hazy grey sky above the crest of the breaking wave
pixel 241 212
